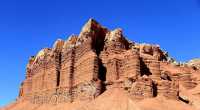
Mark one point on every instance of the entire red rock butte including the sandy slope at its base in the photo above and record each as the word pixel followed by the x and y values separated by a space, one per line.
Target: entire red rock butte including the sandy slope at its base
pixel 100 69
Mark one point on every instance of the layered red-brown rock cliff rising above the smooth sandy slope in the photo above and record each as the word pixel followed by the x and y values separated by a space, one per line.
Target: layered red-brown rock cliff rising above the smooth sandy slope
pixel 86 65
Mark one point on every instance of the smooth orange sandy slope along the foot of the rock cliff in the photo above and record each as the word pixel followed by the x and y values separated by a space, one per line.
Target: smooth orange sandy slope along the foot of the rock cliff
pixel 116 99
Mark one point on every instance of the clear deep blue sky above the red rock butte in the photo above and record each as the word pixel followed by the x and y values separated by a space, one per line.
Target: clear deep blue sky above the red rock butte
pixel 26 26
